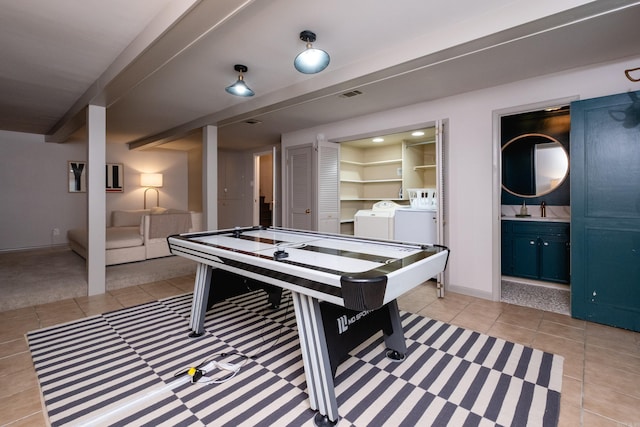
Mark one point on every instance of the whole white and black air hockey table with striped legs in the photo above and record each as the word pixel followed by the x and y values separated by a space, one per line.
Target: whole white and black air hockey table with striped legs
pixel 360 275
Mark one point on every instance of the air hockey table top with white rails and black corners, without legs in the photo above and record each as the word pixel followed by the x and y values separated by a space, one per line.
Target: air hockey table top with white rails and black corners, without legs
pixel 316 264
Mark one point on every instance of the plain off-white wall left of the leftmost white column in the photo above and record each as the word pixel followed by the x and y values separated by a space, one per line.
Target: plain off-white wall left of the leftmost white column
pixel 34 198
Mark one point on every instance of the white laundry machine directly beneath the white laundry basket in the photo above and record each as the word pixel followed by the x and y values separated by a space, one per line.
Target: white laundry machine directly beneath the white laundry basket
pixel 416 225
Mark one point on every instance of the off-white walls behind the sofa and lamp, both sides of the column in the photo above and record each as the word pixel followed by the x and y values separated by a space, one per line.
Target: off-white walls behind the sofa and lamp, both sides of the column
pixel 34 199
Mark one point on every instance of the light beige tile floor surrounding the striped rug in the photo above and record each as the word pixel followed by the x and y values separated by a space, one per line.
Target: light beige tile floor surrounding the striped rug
pixel 601 384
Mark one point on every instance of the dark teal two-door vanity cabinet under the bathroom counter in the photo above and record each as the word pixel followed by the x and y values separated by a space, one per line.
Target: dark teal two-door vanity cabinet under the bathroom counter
pixel 536 250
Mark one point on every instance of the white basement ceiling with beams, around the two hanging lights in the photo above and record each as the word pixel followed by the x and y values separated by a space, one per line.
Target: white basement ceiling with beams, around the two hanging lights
pixel 161 66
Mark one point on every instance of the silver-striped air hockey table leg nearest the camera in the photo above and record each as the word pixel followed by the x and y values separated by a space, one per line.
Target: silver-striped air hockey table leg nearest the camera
pixel 315 357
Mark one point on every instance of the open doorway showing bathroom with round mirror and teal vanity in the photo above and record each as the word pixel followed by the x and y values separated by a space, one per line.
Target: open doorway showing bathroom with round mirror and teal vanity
pixel 535 208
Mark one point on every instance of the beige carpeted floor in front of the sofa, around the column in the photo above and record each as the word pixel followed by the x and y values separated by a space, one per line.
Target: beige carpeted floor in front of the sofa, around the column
pixel 41 276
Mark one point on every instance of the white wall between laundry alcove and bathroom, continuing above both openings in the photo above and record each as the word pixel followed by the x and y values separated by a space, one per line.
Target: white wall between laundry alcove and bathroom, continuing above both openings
pixel 473 220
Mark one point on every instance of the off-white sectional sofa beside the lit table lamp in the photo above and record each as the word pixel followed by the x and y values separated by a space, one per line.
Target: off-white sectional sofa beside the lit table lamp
pixel 137 235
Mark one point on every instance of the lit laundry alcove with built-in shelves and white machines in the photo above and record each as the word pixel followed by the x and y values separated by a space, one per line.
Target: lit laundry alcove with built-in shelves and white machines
pixel 388 186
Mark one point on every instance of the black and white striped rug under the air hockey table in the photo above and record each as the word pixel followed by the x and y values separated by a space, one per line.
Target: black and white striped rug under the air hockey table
pixel 118 369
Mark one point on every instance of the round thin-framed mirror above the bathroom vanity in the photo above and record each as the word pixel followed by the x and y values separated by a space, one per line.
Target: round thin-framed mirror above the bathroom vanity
pixel 533 165
